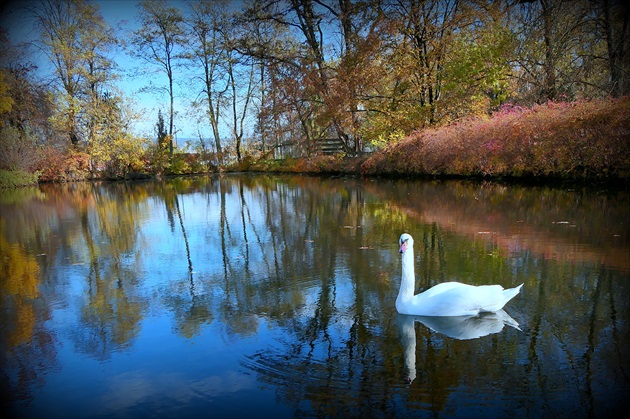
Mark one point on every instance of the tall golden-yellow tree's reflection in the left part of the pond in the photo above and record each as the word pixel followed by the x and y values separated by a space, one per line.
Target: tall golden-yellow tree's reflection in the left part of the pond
pixel 109 230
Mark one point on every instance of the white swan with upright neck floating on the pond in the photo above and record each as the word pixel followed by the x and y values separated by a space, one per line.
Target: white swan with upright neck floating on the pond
pixel 448 298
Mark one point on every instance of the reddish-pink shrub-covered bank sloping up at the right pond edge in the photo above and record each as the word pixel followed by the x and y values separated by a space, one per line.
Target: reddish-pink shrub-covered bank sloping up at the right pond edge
pixel 587 140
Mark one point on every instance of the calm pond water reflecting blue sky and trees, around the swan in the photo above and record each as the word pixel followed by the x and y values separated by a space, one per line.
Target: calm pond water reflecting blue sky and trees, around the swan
pixel 274 296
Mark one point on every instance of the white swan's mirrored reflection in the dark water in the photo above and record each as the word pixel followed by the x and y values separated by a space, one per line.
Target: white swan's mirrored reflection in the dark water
pixel 457 327
